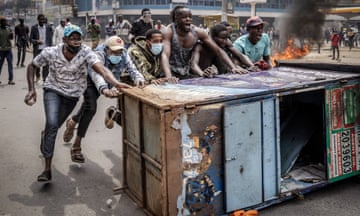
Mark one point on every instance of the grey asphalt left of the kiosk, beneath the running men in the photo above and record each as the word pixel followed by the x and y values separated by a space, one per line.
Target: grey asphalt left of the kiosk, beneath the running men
pixel 80 190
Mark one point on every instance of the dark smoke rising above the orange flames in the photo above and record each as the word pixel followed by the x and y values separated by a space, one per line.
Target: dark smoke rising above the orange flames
pixel 304 20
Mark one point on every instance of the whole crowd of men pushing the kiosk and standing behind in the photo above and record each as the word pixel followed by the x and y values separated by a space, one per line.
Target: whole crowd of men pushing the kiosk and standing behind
pixel 145 51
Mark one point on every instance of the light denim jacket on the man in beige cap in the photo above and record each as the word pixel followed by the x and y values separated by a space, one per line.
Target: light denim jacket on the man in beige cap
pixel 125 64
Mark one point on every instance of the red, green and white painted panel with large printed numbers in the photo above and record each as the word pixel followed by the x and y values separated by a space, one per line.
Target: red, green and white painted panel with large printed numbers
pixel 343 145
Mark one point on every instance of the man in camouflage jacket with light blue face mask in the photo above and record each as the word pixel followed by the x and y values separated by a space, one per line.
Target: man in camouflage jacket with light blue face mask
pixel 145 53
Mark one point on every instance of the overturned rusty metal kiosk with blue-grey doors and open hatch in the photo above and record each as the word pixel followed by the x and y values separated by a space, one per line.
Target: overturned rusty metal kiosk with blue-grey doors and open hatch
pixel 213 146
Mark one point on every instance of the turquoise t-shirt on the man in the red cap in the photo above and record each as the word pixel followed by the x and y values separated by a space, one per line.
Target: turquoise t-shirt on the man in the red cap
pixel 254 52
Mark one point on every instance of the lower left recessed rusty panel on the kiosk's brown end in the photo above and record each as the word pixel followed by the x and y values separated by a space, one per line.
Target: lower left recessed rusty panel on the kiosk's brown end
pixel 133 173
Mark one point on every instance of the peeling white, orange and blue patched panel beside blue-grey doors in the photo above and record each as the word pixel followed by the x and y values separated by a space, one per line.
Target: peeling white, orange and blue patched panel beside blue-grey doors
pixel 202 170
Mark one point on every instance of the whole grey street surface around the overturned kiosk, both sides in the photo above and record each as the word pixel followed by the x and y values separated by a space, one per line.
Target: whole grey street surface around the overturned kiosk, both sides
pixel 85 189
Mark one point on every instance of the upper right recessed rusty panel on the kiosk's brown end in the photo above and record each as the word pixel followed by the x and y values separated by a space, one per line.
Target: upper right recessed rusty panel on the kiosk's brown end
pixel 151 132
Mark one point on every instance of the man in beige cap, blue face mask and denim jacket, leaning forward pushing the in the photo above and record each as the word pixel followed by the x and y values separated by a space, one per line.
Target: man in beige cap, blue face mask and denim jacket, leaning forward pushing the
pixel 115 57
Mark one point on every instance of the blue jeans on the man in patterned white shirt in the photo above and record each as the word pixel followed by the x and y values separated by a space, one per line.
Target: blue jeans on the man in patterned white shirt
pixel 57 109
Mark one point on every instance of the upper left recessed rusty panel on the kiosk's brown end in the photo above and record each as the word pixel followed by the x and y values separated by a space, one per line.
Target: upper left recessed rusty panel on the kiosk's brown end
pixel 132 120
